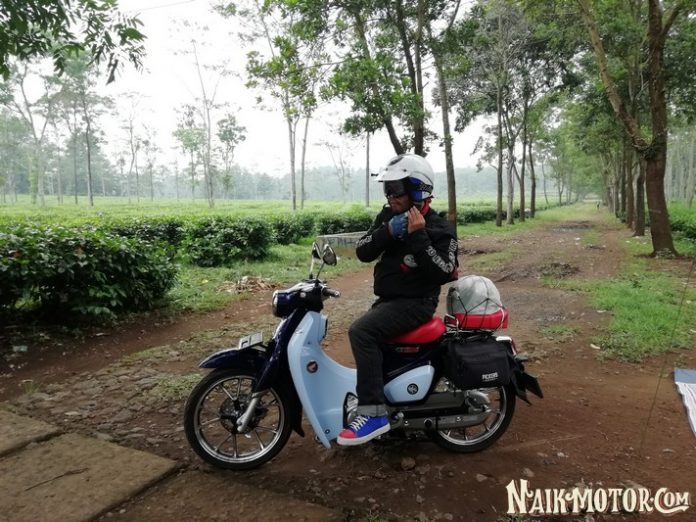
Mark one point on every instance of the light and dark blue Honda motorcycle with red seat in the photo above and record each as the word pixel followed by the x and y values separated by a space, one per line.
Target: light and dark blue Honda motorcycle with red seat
pixel 242 413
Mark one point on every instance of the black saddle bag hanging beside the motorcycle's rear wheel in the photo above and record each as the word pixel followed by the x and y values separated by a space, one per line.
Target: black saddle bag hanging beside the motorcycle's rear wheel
pixel 477 363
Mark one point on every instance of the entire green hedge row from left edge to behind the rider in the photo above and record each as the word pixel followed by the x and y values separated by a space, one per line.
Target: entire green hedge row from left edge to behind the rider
pixel 96 271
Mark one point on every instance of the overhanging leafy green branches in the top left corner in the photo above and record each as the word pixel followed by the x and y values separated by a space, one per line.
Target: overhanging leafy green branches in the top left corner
pixel 62 28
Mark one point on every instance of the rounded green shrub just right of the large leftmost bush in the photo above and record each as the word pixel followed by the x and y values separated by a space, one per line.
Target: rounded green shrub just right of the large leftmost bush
pixel 220 241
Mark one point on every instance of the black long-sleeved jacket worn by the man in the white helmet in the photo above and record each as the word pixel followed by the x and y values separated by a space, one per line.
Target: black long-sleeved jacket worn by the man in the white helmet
pixel 415 267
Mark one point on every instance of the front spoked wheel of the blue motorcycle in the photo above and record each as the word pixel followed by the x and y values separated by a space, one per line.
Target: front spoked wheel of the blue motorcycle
pixel 210 421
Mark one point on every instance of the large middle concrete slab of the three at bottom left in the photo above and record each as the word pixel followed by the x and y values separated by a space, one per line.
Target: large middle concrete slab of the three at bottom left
pixel 73 478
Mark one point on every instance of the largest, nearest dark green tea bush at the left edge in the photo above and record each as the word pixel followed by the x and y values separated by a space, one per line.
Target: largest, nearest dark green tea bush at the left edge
pixel 75 273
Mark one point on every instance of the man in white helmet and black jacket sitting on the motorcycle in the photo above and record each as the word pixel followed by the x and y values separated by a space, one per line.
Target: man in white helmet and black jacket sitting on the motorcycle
pixel 418 250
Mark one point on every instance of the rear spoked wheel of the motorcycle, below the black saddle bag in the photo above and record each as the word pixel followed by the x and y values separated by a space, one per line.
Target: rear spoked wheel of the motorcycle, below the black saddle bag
pixel 471 439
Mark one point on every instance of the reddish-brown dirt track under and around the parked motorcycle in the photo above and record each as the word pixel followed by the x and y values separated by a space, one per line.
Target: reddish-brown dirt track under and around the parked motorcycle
pixel 601 422
